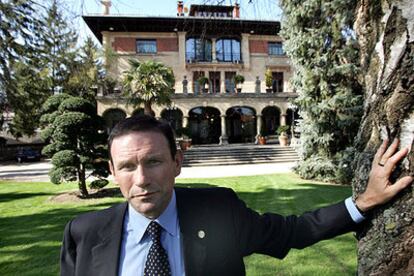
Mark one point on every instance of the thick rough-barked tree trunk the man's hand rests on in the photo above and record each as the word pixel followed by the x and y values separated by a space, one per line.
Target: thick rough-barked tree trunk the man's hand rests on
pixel 385 32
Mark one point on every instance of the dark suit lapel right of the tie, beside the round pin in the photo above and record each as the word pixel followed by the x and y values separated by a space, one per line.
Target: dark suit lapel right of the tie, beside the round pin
pixel 192 232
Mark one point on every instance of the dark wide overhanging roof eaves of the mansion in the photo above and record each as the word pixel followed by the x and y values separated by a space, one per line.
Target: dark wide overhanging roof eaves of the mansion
pixel 192 25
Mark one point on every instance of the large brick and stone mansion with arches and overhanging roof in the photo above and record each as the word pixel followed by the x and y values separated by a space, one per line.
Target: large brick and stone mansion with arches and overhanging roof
pixel 210 41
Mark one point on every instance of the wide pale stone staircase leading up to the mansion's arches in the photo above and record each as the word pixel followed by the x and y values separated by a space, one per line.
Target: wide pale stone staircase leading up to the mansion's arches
pixel 238 154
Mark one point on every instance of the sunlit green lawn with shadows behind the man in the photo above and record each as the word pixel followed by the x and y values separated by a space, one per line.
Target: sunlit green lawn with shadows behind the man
pixel 31 226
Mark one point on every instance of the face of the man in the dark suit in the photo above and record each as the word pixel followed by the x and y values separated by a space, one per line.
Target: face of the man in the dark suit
pixel 144 170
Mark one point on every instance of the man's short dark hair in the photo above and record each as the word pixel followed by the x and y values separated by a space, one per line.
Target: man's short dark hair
pixel 143 123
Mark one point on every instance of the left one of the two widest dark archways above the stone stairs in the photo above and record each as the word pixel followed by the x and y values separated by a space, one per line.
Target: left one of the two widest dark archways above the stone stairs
pixel 205 125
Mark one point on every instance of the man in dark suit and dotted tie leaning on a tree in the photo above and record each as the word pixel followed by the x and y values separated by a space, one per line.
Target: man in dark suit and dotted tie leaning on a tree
pixel 162 230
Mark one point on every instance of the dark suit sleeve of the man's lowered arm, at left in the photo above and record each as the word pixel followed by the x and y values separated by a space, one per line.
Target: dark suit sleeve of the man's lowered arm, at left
pixel 68 253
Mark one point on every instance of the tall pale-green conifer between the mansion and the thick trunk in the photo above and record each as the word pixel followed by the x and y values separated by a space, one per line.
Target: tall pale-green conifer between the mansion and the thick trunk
pixel 321 44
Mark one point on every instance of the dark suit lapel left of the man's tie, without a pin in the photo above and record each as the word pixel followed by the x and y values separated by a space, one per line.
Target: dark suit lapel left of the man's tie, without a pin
pixel 106 253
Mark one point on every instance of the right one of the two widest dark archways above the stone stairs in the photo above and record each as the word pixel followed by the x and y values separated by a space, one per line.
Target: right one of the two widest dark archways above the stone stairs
pixel 241 124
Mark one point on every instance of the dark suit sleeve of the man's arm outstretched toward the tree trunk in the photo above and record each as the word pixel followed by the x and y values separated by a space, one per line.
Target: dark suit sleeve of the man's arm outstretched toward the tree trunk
pixel 275 235
